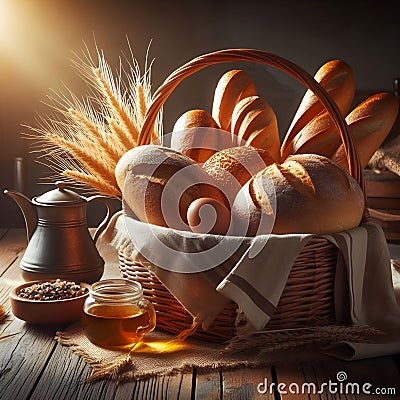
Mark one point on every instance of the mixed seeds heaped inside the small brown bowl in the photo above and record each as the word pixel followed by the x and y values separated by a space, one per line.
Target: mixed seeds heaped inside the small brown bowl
pixel 55 290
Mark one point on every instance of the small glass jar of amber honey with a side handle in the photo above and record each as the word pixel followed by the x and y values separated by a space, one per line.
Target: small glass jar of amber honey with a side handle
pixel 116 315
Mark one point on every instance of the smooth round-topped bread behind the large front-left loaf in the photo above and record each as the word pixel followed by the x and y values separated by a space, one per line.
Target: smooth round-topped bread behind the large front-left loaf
pixel 197 135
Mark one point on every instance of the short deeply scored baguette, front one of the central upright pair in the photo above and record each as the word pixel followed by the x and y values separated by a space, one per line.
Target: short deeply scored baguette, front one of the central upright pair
pixel 255 124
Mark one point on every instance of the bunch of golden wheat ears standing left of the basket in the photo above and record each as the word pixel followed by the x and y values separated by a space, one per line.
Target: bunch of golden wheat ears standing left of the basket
pixel 84 138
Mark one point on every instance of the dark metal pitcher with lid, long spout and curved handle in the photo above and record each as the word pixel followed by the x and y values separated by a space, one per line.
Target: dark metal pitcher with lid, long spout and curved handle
pixel 59 242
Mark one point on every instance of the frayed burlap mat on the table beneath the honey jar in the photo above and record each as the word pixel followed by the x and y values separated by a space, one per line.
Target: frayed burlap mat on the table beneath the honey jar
pixel 159 354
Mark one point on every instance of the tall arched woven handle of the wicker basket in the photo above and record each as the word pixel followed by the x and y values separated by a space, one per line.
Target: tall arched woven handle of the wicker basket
pixel 263 57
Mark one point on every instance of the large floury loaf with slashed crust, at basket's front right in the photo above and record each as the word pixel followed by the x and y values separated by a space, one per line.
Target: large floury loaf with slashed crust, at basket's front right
pixel 307 193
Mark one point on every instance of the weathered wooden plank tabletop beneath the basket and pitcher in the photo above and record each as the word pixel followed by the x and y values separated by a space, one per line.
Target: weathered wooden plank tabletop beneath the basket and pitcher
pixel 34 366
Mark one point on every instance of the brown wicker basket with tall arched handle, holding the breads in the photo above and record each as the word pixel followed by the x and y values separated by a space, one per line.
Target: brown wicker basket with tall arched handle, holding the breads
pixel 307 299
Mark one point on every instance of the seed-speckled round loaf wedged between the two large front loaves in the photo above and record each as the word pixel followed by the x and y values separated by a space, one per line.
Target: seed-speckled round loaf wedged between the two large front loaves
pixel 231 168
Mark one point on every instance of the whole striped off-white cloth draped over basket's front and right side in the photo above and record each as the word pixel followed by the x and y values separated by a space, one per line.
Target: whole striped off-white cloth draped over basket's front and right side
pixel 256 273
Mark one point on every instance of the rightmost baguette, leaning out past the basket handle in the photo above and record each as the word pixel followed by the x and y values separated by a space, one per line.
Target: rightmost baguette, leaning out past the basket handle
pixel 369 124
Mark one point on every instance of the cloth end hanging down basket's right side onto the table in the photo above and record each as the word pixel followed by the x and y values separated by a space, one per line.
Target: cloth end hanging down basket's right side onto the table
pixel 368 288
